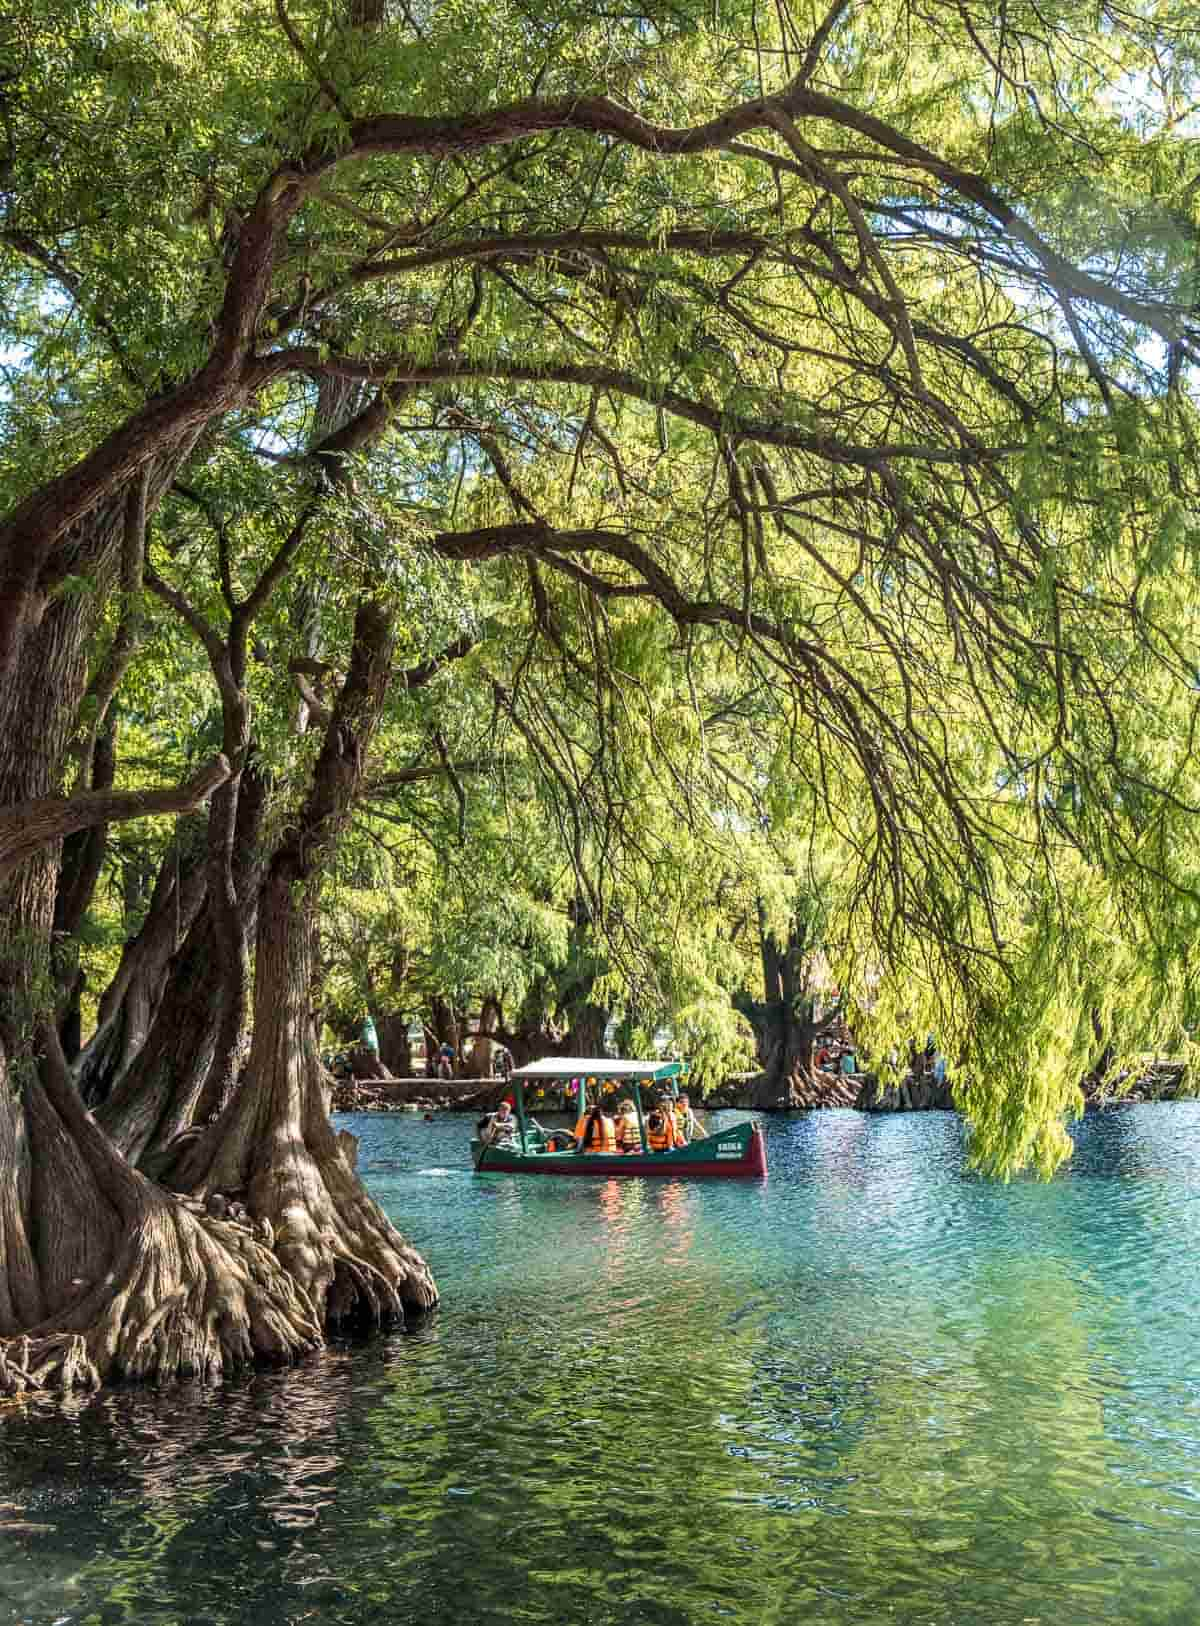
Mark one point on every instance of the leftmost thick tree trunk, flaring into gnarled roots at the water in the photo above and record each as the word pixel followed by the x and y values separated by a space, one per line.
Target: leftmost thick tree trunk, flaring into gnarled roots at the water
pixel 103 1274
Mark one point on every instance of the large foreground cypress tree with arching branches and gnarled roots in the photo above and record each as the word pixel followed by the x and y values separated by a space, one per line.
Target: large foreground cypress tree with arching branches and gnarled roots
pixel 840 367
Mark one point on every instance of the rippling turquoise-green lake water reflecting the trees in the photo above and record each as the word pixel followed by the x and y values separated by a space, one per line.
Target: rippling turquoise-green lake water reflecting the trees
pixel 872 1389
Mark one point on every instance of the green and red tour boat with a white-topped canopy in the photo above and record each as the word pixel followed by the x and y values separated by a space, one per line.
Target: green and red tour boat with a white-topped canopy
pixel 533 1150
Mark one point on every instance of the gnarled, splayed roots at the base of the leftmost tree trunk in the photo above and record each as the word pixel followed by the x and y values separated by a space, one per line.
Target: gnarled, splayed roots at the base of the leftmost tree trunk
pixel 188 1297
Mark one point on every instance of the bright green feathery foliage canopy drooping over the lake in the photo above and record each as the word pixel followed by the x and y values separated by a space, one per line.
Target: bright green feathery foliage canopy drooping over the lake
pixel 822 524
